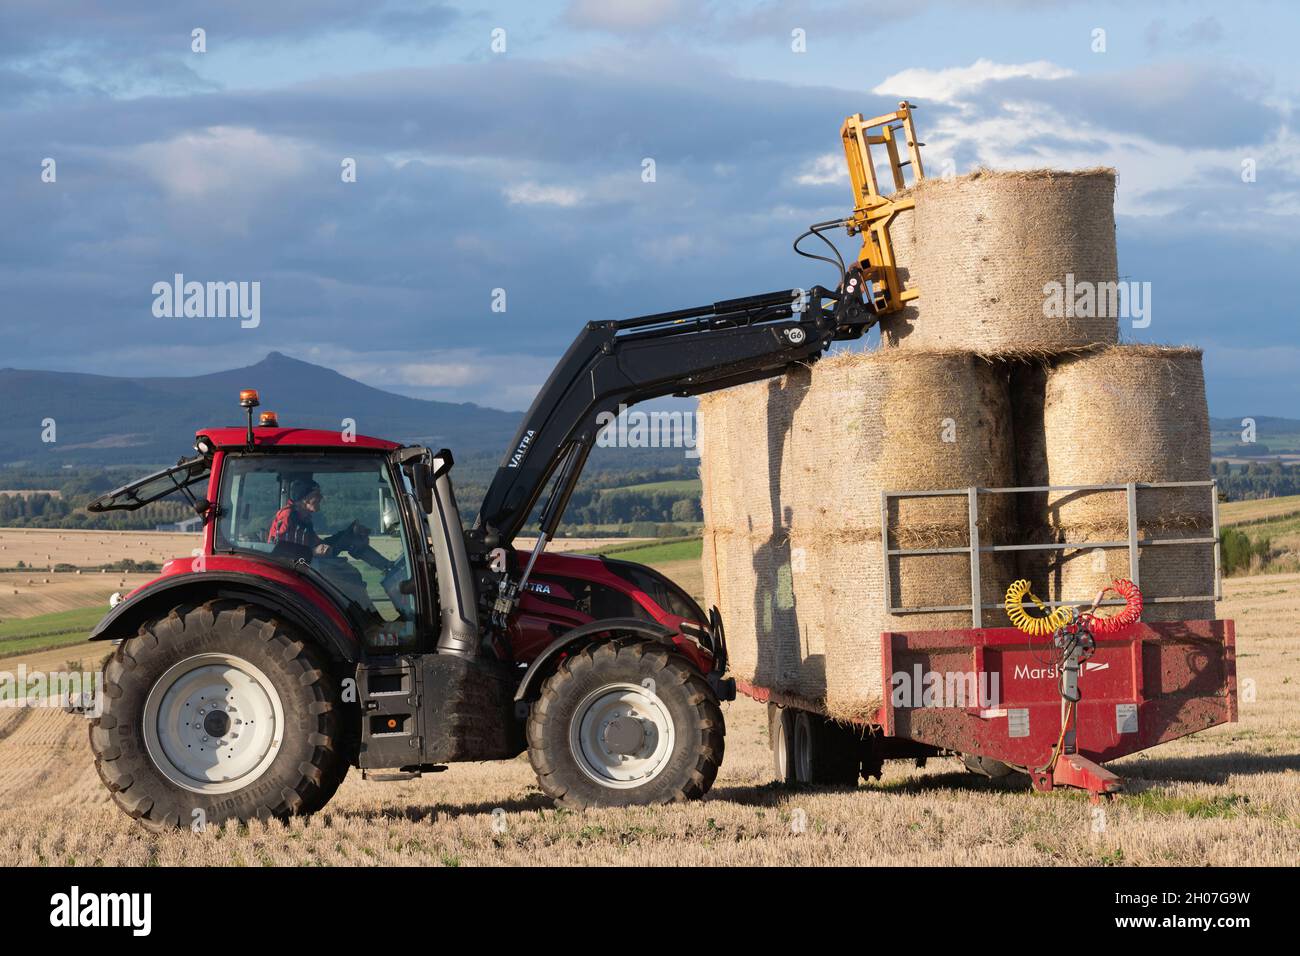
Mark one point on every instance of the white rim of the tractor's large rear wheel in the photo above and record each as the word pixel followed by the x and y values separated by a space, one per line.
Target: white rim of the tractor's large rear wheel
pixel 213 724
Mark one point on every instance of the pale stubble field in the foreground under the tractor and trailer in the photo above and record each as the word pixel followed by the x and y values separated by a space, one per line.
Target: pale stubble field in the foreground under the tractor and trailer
pixel 1225 797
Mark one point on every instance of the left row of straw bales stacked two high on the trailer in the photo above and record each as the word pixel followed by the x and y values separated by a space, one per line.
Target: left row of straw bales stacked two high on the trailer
pixel 794 470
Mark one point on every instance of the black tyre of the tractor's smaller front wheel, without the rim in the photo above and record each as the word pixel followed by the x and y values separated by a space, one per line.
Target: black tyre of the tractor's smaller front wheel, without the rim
pixel 686 698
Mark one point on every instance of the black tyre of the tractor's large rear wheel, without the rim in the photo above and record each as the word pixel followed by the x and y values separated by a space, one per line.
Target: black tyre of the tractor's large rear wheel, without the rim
pixel 306 771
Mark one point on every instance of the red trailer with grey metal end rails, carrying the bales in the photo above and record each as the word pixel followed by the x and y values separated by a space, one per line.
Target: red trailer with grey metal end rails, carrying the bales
pixel 1133 689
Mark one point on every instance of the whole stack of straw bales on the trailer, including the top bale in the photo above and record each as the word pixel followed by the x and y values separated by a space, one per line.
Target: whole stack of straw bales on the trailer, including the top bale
pixel 978 387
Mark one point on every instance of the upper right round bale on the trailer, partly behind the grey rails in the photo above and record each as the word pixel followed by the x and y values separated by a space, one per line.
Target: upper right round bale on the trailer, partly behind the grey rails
pixel 1128 414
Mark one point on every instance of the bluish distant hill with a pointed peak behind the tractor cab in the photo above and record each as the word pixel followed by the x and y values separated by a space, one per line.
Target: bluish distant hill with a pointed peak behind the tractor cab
pixel 112 421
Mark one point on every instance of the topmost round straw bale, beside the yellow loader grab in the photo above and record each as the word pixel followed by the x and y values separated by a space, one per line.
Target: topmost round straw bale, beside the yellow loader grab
pixel 990 245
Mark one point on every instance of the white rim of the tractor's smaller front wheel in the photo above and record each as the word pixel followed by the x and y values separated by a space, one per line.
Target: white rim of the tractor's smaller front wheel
pixel 600 758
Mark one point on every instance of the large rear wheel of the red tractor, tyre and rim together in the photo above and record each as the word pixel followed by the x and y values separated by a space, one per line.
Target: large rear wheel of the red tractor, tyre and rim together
pixel 218 712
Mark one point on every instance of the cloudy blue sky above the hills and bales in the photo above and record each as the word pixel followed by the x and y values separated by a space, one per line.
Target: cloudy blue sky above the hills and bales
pixel 504 148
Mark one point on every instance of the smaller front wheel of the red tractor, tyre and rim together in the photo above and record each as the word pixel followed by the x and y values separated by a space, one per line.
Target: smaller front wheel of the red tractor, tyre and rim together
pixel 622 724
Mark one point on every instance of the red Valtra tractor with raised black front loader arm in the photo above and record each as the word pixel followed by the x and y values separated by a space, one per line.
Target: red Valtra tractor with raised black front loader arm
pixel 341 616
